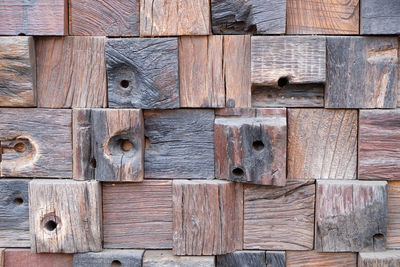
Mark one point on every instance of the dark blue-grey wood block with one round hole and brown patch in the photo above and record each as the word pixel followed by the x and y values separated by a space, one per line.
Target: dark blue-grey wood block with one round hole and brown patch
pixel 142 72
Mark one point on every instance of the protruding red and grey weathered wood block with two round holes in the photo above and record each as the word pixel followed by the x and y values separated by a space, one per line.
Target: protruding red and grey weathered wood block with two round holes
pixel 252 149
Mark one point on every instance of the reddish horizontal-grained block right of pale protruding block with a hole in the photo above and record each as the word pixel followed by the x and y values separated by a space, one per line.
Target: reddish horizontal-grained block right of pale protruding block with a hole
pixel 138 215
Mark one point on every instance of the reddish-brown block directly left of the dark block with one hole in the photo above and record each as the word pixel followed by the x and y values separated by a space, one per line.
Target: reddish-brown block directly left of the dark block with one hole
pixel 71 72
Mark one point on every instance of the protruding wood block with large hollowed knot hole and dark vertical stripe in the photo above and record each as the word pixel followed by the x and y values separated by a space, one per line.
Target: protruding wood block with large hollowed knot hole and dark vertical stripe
pixel 108 144
